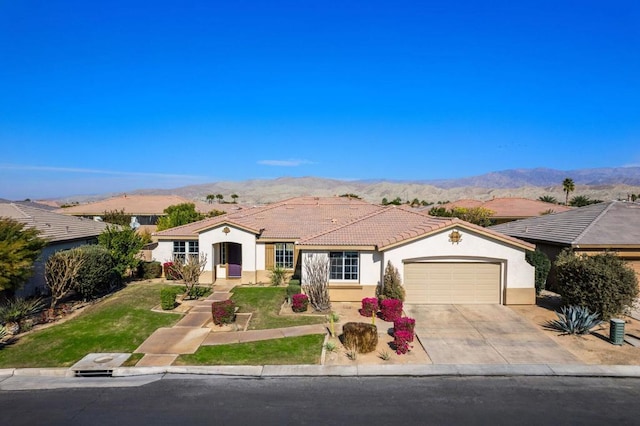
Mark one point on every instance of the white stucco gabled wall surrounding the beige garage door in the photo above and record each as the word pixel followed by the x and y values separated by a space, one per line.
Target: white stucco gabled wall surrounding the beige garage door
pixel 518 276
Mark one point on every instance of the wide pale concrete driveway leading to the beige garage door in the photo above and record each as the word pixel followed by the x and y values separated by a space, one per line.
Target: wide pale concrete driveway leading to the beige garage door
pixel 483 334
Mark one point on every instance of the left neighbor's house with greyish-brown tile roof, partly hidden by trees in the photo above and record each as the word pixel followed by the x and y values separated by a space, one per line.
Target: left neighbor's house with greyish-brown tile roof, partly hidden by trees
pixel 62 232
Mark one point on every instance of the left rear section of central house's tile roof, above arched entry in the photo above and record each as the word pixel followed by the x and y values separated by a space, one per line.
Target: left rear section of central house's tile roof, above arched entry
pixel 290 219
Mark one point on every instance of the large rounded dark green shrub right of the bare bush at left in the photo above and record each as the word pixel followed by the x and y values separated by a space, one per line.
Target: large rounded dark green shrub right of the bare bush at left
pixel 97 274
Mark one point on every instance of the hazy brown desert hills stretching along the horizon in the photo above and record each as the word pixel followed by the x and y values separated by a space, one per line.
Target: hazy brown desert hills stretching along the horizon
pixel 603 184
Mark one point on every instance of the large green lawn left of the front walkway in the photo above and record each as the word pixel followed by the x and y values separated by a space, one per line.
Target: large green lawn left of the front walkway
pixel 118 324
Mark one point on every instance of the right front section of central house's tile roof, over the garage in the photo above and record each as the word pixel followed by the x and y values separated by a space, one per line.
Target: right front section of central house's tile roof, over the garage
pixel 390 226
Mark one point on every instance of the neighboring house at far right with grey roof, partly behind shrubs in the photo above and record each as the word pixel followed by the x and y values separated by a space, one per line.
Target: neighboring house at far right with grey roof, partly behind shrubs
pixel 612 226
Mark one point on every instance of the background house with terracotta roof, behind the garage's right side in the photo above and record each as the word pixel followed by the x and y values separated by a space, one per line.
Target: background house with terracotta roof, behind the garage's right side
pixel 509 208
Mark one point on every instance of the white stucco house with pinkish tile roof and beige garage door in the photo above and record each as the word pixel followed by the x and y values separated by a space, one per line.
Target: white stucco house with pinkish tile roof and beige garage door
pixel 442 260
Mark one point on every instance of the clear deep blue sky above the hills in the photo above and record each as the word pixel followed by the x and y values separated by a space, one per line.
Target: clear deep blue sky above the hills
pixel 113 96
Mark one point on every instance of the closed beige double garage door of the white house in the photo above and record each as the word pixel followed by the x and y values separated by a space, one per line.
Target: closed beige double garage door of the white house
pixel 446 283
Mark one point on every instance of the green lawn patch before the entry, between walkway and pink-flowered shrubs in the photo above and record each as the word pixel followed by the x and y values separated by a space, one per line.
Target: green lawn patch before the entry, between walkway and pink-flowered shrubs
pixel 265 303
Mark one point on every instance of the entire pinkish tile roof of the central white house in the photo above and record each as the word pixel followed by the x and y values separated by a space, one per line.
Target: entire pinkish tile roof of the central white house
pixel 315 221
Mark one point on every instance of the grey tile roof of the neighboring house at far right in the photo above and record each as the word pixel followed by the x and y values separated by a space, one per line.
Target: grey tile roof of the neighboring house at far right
pixel 614 223
